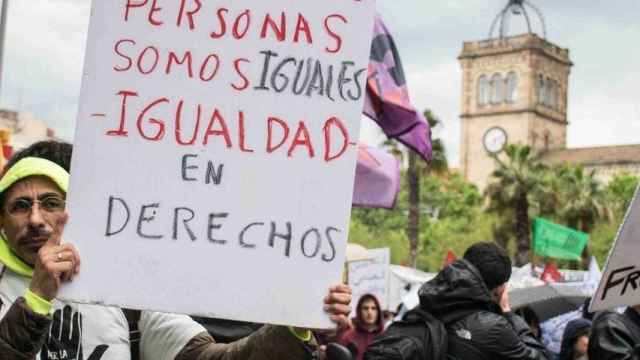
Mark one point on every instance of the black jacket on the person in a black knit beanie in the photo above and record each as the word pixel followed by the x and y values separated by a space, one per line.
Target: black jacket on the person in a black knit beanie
pixel 477 328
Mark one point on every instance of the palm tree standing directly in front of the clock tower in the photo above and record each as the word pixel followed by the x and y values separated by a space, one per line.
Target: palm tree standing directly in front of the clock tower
pixel 516 181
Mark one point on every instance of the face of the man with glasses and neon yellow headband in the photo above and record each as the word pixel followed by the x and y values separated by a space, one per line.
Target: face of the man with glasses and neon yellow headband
pixel 28 225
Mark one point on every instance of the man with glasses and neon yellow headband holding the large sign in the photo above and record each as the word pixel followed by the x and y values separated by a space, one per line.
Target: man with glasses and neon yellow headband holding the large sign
pixel 34 263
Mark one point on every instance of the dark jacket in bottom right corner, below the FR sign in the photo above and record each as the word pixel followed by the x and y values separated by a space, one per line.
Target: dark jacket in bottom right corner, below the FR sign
pixel 615 336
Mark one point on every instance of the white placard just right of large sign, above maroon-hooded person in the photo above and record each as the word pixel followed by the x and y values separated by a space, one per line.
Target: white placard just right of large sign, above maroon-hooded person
pixel 371 276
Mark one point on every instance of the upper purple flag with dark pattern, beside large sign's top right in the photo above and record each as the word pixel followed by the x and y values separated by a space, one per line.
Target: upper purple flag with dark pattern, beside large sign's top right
pixel 387 101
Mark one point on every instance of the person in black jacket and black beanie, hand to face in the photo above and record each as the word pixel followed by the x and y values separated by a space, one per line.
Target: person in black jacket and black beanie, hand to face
pixel 469 296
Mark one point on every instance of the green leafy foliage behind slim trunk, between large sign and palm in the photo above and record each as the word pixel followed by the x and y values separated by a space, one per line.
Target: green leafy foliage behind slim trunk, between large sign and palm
pixel 451 217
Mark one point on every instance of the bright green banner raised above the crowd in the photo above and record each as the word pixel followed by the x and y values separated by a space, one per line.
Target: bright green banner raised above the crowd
pixel 557 241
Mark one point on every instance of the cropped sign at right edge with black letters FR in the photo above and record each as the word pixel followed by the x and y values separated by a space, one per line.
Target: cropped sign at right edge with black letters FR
pixel 619 285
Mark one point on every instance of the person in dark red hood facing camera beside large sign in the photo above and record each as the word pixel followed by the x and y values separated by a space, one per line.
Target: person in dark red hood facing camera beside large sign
pixel 367 324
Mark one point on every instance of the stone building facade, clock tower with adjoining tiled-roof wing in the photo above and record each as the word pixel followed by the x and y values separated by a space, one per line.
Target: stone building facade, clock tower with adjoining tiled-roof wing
pixel 514 90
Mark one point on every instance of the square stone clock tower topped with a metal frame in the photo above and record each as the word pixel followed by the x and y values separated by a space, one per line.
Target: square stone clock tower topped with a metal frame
pixel 514 90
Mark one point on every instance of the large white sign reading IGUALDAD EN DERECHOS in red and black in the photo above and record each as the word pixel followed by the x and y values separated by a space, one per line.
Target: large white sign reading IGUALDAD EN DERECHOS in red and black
pixel 214 156
